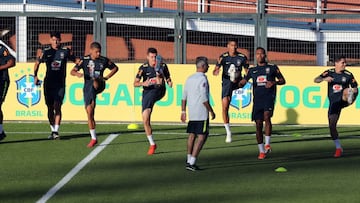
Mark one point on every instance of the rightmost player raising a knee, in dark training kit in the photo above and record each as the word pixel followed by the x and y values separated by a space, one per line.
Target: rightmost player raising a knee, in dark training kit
pixel 342 91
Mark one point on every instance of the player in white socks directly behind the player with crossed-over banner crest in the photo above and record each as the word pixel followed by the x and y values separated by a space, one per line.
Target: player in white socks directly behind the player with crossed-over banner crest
pixel 232 62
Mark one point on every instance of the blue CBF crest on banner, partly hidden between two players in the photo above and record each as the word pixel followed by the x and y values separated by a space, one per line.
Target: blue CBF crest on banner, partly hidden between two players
pixel 241 97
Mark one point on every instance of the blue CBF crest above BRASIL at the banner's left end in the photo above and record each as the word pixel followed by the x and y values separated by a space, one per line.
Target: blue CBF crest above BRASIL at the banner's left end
pixel 28 94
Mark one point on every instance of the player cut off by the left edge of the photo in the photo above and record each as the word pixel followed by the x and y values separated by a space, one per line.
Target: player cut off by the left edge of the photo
pixel 6 61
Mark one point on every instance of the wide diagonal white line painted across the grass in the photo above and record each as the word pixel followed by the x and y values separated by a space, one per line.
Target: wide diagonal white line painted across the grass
pixel 77 168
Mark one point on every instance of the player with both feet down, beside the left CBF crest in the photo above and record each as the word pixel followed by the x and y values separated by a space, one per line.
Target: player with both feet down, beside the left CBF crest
pixel 55 57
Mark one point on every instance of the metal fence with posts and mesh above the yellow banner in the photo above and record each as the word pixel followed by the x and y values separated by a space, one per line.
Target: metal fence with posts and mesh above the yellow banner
pixel 296 32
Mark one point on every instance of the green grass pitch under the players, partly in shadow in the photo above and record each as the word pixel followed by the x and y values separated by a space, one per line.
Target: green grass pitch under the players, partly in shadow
pixel 30 165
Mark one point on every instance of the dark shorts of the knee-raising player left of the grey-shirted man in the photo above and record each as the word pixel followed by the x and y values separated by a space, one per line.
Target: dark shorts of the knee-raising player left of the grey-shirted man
pixel 151 96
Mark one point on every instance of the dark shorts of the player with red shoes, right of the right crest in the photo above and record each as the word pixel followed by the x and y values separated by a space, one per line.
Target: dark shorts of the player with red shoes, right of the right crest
pixel 262 106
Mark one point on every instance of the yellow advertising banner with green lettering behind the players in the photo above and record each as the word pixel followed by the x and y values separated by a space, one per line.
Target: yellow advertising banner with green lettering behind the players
pixel 300 101
